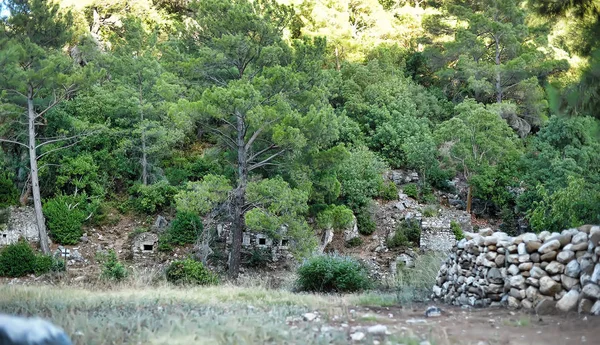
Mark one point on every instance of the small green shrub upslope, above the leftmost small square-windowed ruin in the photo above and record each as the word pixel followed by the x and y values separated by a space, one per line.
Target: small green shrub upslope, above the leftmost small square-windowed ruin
pixel 151 198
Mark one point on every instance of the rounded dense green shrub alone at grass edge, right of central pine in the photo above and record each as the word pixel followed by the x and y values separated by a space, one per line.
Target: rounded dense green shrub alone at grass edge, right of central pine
pixel 332 273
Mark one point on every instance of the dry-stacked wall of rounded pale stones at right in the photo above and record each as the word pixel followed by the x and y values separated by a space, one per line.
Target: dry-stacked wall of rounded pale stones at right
pixel 543 271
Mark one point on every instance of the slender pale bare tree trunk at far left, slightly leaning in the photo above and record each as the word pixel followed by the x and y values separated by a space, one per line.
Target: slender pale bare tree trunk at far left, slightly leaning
pixel 35 185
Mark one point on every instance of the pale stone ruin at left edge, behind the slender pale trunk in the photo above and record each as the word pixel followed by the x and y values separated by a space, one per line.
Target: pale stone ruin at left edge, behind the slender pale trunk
pixel 17 222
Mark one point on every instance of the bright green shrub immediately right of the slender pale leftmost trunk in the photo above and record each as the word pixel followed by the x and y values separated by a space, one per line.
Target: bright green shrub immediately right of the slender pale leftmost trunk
pixel 65 215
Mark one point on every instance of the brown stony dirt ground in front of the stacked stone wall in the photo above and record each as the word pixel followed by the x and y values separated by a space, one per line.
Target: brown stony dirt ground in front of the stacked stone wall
pixel 489 326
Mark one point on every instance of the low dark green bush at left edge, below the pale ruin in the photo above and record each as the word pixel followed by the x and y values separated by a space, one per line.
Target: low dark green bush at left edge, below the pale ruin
pixel 17 260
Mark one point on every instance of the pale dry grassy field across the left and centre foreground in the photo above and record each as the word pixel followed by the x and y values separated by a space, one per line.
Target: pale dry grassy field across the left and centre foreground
pixel 167 315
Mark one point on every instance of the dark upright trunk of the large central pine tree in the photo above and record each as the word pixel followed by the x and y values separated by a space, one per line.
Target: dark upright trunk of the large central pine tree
pixel 239 201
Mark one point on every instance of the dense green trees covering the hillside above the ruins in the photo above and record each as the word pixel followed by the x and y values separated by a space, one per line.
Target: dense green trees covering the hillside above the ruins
pixel 281 116
